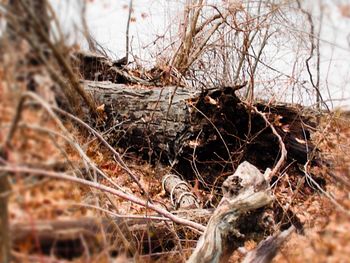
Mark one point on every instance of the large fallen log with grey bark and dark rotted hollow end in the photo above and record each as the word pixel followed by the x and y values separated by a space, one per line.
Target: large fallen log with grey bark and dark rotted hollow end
pixel 207 133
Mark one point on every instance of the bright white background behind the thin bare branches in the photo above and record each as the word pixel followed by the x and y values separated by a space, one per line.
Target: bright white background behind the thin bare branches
pixel 107 21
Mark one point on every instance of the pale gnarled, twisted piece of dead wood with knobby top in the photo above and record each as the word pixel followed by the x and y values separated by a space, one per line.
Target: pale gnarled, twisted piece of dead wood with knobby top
pixel 245 190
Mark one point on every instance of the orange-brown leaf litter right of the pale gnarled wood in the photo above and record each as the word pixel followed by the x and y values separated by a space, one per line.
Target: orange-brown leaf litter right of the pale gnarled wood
pixel 327 224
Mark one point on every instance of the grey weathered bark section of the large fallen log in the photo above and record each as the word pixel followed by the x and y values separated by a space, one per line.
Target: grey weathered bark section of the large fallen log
pixel 149 119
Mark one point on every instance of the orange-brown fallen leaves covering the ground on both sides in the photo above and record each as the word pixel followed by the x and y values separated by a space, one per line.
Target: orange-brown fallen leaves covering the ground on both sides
pixel 326 236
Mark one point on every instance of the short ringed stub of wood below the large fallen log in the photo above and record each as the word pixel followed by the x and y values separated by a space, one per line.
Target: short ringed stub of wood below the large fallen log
pixel 180 192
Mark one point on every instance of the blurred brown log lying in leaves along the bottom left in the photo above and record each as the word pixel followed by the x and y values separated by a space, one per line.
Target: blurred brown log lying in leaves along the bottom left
pixel 71 238
